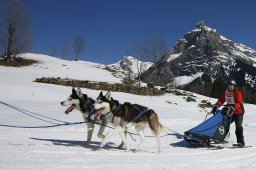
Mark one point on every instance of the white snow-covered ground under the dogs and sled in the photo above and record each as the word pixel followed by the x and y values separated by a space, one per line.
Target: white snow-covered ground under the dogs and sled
pixel 61 147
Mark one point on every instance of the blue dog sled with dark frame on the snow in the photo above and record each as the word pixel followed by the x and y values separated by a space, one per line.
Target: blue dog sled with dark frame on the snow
pixel 213 130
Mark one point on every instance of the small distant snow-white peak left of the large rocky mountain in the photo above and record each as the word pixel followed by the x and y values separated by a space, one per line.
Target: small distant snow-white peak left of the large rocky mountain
pixel 131 65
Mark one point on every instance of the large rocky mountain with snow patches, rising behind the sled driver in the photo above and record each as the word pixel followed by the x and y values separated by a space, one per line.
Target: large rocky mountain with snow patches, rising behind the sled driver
pixel 204 56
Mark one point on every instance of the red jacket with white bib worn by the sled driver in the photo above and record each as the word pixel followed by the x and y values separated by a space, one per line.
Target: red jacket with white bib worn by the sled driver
pixel 234 99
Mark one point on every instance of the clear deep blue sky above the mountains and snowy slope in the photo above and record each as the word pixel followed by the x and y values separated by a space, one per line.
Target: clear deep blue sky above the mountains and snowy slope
pixel 110 26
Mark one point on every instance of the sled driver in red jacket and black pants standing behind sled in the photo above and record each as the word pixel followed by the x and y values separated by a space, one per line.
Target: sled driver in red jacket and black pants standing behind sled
pixel 233 97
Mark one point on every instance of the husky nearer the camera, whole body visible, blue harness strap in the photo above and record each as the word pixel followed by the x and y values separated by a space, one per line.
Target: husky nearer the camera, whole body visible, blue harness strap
pixel 127 115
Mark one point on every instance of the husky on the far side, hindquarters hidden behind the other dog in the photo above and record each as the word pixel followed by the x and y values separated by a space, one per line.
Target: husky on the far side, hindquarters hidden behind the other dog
pixel 78 100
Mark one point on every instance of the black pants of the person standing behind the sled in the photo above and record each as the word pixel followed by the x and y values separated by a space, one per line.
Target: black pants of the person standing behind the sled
pixel 238 119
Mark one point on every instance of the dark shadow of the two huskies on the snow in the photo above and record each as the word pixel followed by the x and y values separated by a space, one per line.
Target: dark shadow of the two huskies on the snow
pixel 72 143
